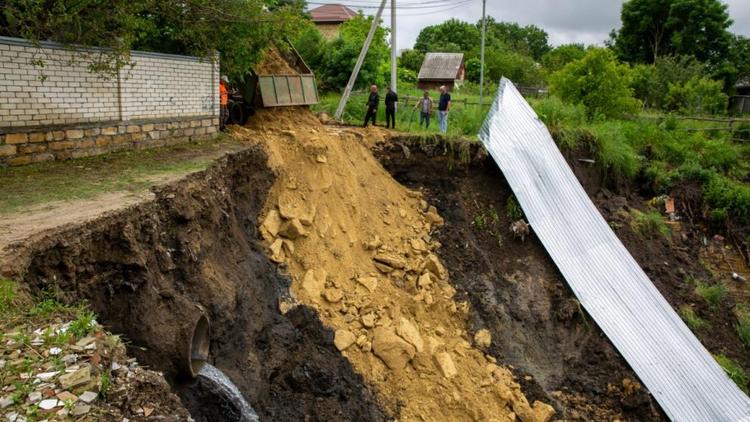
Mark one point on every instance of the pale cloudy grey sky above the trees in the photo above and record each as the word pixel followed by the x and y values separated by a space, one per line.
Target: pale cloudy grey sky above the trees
pixel 584 21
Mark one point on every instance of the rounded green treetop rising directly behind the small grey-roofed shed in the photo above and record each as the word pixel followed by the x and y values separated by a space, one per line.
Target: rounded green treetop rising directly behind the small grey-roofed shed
pixel 452 36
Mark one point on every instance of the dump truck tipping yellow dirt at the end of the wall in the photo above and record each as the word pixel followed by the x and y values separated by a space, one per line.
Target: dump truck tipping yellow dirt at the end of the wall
pixel 282 79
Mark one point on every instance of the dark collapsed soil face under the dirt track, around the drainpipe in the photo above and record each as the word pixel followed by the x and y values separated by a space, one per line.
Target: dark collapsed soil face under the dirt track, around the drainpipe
pixel 195 247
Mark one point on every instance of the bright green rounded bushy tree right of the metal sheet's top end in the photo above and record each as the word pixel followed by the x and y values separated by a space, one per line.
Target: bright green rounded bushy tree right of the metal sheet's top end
pixel 598 82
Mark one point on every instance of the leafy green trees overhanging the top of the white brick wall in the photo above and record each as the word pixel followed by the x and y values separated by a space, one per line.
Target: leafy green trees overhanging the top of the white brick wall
pixel 238 29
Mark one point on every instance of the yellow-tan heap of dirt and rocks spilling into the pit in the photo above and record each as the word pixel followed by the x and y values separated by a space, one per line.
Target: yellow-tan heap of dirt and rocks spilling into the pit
pixel 359 249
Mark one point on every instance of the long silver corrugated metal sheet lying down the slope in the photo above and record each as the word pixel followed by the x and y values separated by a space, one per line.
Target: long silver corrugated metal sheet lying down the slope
pixel 679 372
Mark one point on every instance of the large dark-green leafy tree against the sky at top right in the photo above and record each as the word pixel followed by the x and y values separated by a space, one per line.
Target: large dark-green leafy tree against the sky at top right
pixel 652 28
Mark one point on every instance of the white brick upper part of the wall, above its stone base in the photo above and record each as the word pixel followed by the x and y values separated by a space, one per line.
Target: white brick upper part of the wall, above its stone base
pixel 63 91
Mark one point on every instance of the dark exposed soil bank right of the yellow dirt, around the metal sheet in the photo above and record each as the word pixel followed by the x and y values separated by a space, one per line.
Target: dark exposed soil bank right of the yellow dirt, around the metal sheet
pixel 517 293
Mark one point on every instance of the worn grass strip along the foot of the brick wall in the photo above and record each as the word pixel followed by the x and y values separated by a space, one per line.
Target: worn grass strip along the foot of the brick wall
pixel 85 178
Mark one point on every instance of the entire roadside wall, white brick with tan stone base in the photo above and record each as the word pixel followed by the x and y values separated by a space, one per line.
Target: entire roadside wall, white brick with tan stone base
pixel 62 110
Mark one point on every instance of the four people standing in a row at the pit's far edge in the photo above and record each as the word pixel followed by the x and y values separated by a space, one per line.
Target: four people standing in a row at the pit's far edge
pixel 424 105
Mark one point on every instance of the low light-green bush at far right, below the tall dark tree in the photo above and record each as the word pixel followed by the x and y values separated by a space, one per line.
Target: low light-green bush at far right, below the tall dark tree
pixel 699 95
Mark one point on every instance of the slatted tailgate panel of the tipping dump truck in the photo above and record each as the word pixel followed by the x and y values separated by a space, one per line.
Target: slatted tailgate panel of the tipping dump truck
pixel 287 90
